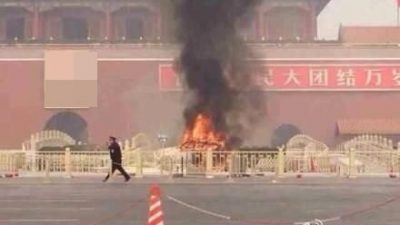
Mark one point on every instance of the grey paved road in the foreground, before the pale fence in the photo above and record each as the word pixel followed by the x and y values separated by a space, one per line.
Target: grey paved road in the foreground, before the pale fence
pixel 200 201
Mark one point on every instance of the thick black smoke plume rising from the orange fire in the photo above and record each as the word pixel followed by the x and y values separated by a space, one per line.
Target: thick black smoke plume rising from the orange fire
pixel 213 64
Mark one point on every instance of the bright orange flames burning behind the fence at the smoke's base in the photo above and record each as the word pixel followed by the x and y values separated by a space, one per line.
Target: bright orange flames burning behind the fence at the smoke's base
pixel 202 136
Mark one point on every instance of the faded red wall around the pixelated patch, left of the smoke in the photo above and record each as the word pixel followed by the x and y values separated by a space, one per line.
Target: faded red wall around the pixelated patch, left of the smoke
pixel 127 96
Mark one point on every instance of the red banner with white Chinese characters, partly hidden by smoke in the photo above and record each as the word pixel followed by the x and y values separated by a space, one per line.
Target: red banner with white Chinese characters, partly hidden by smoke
pixel 310 77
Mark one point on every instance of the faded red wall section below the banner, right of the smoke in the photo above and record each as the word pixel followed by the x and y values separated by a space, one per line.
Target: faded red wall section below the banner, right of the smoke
pixel 316 113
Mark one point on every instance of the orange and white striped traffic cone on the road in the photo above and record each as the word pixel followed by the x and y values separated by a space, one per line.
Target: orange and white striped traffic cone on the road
pixel 155 211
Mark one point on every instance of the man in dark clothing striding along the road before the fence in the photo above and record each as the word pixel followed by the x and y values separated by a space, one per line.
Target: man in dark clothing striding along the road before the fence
pixel 116 159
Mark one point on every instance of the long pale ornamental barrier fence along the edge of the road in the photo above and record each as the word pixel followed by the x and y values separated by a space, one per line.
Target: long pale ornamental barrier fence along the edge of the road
pixel 169 162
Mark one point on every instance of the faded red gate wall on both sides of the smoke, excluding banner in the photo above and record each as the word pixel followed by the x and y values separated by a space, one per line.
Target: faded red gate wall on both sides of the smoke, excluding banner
pixel 129 102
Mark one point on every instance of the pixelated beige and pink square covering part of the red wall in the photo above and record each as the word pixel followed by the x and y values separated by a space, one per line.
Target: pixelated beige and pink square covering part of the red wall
pixel 70 79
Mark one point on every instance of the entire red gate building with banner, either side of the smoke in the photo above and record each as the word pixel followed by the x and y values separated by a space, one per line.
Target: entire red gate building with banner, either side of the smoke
pixel 98 67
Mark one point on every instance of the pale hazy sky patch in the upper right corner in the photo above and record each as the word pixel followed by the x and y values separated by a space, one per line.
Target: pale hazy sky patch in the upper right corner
pixel 355 12
